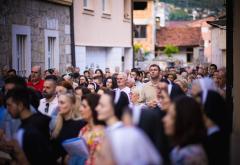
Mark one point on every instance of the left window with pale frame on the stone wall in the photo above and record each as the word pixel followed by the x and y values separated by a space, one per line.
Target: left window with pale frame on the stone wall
pixel 21 49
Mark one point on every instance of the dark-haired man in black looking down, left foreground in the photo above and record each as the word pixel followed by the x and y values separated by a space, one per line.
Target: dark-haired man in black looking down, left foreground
pixel 33 132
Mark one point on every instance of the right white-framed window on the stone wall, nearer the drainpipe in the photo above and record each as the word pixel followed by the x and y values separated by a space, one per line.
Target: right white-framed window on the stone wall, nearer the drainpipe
pixel 51 49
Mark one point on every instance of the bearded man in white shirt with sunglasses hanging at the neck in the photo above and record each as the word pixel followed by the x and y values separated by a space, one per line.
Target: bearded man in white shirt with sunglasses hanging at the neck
pixel 48 105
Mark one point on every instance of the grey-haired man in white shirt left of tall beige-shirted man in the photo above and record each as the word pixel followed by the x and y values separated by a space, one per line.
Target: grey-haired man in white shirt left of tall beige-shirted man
pixel 122 83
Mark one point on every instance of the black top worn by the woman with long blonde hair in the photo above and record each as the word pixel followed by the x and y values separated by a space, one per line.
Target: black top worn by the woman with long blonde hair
pixel 70 129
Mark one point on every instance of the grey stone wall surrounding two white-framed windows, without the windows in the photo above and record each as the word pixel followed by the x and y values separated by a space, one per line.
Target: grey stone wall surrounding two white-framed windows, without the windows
pixel 39 16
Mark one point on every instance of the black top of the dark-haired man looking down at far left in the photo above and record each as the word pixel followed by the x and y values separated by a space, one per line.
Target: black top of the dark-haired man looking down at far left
pixel 36 144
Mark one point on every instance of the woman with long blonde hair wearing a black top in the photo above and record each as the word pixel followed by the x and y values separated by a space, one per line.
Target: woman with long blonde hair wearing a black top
pixel 67 124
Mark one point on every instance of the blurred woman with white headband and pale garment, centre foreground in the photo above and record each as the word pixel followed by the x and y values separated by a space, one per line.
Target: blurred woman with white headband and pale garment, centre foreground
pixel 122 145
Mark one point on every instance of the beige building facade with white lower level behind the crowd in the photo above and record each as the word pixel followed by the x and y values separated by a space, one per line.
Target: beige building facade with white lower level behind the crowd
pixel 103 34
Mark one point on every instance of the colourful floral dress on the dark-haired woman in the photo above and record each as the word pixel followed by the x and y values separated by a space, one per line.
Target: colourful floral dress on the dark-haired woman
pixel 93 137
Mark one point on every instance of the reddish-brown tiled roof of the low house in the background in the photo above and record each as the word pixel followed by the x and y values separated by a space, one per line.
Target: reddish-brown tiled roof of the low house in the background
pixel 179 36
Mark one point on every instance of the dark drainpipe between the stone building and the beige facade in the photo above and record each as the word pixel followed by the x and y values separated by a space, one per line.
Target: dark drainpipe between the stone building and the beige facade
pixel 72 35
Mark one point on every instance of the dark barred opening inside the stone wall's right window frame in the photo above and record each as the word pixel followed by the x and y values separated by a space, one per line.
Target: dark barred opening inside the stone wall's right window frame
pixel 51 43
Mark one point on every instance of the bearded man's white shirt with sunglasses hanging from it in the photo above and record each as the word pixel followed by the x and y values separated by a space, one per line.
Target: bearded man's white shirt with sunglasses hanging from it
pixel 52 109
